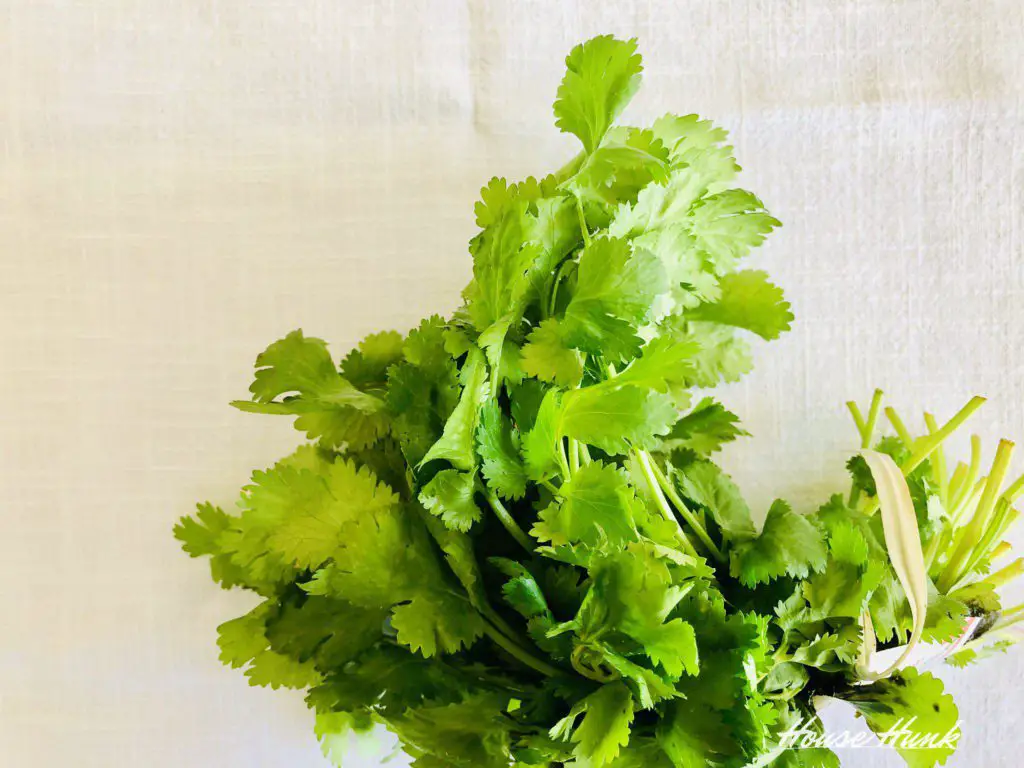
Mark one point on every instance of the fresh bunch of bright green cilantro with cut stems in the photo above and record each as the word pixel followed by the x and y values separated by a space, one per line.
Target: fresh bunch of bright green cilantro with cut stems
pixel 506 539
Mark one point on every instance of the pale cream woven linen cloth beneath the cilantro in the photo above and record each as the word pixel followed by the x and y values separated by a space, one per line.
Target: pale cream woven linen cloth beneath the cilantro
pixel 184 182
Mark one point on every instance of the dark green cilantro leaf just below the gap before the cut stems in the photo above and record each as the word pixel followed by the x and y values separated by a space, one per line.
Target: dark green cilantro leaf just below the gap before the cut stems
pixel 789 545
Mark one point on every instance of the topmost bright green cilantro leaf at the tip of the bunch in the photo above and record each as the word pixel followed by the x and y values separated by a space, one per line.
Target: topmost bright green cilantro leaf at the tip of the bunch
pixel 602 77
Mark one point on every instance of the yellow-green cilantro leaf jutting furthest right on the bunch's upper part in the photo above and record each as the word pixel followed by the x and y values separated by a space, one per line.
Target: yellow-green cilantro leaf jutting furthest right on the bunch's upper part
pixel 750 302
